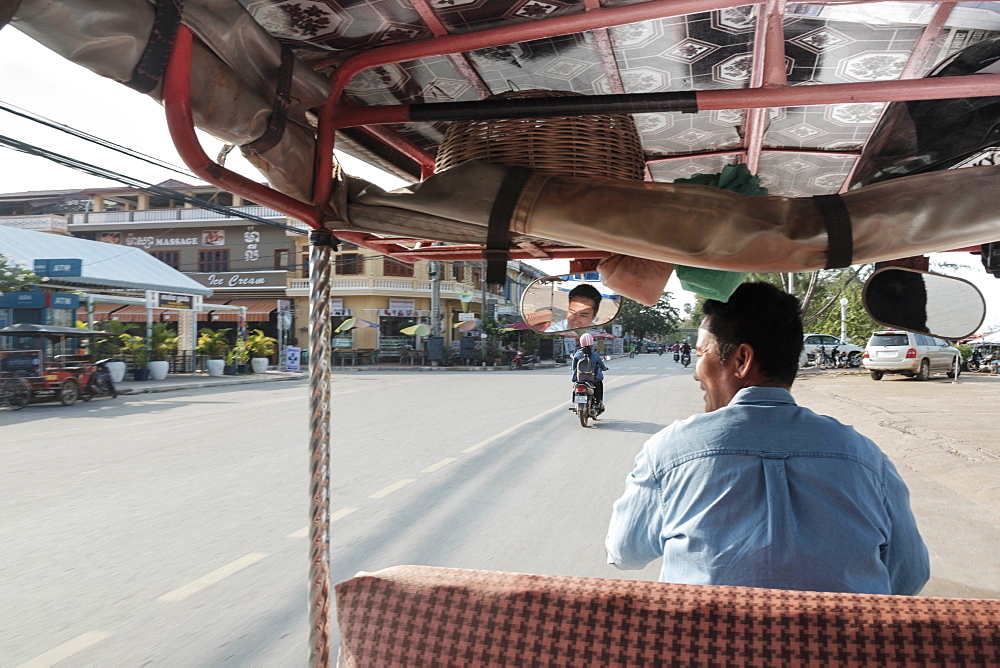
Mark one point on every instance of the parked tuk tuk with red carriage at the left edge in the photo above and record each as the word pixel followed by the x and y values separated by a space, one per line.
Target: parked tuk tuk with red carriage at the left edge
pixel 42 368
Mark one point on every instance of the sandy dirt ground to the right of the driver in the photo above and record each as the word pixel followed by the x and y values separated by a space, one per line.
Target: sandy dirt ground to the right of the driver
pixel 944 438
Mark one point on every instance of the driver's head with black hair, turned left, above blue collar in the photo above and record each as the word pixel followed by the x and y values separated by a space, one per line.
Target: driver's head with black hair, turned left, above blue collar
pixel 753 339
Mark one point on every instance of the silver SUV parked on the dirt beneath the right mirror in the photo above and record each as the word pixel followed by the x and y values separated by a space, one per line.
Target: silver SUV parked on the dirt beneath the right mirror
pixel 913 355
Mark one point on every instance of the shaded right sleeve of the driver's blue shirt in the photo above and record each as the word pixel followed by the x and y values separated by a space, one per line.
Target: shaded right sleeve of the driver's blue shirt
pixel 904 554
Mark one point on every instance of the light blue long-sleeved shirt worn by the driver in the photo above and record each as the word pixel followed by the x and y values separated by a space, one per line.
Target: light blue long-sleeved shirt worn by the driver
pixel 765 493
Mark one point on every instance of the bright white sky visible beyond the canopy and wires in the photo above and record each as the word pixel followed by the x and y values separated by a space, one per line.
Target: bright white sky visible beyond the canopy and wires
pixel 39 81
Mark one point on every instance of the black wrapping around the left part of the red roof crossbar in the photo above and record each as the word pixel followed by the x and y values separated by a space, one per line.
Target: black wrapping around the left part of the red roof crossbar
pixel 538 107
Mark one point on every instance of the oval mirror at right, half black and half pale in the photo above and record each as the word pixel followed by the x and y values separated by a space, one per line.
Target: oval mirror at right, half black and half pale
pixel 918 301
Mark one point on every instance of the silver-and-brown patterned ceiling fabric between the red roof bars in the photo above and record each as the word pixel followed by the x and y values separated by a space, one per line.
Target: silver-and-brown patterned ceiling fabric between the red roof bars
pixel 708 50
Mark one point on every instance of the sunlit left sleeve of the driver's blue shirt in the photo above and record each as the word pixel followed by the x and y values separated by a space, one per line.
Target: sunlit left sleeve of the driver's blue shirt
pixel 633 535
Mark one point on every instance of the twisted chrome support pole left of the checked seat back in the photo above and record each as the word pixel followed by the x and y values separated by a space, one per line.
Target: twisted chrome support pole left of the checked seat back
pixel 321 241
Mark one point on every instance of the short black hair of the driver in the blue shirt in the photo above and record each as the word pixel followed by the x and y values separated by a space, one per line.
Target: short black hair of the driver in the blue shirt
pixel 764 317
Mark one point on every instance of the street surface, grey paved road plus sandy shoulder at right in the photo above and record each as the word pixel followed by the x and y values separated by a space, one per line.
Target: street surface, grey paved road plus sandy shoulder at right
pixel 168 529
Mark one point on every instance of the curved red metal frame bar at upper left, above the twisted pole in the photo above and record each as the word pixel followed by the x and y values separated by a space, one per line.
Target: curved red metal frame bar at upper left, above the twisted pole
pixel 180 121
